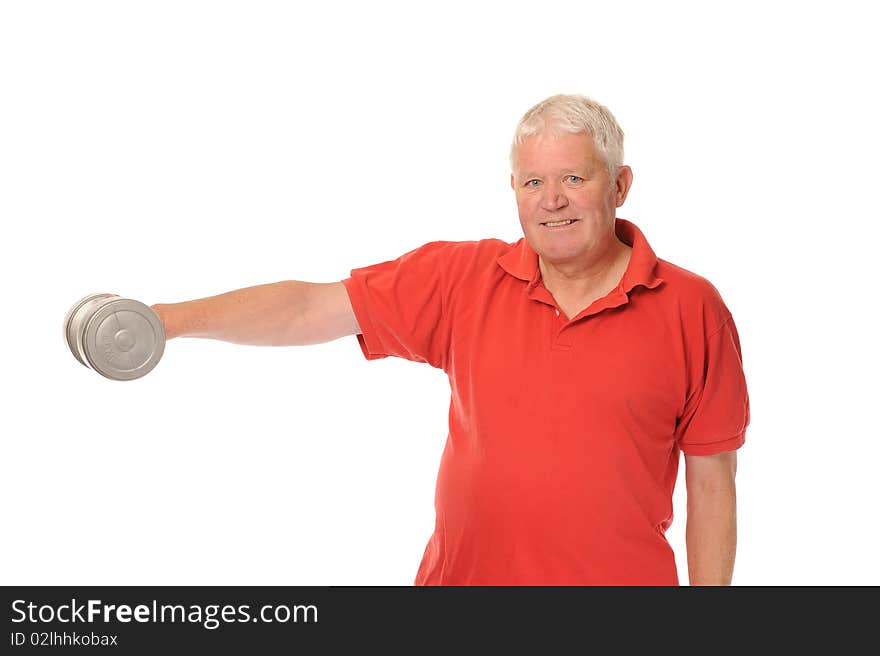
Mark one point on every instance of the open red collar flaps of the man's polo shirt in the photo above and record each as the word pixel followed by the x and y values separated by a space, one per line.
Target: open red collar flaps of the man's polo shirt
pixel 521 261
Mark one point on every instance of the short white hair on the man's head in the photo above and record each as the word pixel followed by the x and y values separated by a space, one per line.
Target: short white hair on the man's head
pixel 571 114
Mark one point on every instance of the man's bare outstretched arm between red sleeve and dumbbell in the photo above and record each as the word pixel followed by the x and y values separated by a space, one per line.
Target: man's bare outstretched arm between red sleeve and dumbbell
pixel 287 313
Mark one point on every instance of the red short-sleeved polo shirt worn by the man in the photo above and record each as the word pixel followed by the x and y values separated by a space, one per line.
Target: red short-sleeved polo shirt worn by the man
pixel 564 434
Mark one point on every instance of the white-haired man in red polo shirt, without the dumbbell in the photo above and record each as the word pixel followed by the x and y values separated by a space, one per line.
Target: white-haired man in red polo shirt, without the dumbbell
pixel 580 366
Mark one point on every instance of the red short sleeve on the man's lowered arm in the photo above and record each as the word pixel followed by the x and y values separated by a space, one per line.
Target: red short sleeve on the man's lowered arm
pixel 716 412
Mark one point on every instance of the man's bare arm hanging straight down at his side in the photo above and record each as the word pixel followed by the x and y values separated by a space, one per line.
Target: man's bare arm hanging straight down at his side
pixel 711 518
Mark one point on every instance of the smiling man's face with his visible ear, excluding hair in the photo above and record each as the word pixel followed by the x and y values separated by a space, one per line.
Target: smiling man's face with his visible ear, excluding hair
pixel 561 178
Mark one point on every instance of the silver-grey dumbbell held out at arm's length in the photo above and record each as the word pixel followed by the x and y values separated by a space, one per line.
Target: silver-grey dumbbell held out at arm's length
pixel 118 337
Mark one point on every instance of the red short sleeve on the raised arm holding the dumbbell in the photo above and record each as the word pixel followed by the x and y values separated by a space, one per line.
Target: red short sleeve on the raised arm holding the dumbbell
pixel 400 305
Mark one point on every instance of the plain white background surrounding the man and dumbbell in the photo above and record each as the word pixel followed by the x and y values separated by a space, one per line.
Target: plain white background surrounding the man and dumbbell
pixel 167 151
